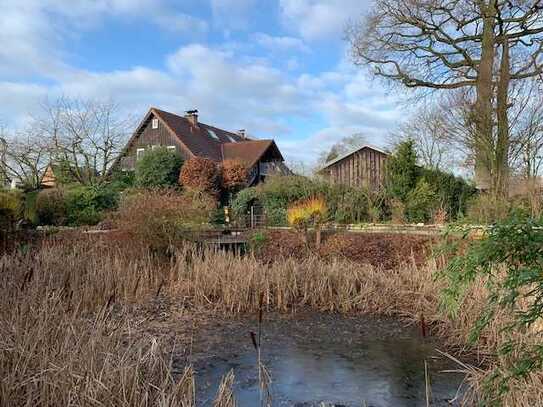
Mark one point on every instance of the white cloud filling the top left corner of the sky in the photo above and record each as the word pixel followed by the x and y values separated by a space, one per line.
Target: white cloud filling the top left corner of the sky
pixel 33 31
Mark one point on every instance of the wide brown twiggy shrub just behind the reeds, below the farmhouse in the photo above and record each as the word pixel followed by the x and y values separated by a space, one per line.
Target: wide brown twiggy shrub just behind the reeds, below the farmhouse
pixel 159 219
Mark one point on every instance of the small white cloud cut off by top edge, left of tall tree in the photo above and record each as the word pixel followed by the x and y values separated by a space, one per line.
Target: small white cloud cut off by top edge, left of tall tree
pixel 321 19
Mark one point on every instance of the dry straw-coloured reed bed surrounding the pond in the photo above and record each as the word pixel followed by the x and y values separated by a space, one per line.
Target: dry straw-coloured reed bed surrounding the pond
pixel 64 340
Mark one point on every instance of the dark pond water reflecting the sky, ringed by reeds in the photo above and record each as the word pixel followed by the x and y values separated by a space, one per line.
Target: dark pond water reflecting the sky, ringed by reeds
pixel 323 359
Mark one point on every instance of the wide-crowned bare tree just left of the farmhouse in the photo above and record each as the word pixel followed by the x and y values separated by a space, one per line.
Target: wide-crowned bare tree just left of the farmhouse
pixel 85 136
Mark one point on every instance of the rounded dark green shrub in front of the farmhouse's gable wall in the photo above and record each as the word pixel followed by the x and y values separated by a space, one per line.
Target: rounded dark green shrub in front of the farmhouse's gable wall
pixel 158 168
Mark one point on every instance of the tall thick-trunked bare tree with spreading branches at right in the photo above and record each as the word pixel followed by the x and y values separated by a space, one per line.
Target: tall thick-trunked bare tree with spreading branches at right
pixel 481 46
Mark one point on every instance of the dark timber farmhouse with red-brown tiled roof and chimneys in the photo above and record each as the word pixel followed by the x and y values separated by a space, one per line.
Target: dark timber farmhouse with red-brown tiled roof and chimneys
pixel 191 138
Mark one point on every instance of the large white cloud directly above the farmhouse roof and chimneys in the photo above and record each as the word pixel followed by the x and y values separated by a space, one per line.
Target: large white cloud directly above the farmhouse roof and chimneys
pixel 236 92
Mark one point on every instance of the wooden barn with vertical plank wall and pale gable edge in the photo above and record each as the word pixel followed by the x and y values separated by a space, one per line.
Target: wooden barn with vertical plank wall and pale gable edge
pixel 363 167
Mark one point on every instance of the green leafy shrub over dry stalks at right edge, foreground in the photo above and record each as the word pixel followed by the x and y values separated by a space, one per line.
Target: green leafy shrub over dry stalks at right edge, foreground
pixel 509 260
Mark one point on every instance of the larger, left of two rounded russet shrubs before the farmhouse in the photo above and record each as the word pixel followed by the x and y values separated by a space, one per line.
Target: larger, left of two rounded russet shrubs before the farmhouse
pixel 200 174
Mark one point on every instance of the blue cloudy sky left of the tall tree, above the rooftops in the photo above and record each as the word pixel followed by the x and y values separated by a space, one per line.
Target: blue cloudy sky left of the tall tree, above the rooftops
pixel 278 68
